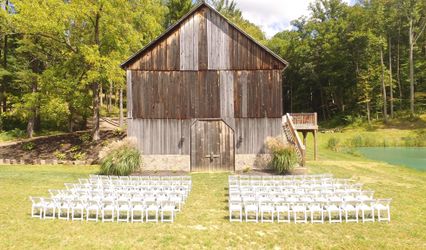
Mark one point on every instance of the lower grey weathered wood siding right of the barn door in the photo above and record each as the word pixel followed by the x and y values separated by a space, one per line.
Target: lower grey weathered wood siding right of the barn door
pixel 250 134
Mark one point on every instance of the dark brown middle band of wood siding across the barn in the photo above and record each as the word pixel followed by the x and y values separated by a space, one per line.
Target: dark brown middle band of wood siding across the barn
pixel 206 94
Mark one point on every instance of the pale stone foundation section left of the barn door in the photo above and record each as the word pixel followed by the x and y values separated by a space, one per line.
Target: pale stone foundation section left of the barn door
pixel 166 163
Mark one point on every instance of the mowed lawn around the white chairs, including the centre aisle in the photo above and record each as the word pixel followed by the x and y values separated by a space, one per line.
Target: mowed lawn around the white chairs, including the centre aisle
pixel 203 223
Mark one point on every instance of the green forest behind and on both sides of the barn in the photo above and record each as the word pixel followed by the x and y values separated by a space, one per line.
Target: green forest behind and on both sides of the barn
pixel 60 59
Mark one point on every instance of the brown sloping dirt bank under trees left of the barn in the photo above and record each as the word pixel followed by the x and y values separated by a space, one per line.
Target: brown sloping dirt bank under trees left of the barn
pixel 64 147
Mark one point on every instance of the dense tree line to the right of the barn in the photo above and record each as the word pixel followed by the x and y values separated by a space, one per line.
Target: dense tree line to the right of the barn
pixel 366 60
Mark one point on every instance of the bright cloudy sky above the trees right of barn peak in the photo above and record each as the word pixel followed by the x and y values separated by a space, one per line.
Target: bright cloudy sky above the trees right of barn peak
pixel 274 15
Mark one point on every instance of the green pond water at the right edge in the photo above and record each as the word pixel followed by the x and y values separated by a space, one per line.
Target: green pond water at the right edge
pixel 409 157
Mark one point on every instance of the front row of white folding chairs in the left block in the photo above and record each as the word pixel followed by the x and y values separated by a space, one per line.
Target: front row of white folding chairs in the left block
pixel 106 210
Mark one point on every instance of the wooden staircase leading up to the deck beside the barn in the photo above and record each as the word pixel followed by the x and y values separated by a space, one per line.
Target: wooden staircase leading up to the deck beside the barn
pixel 293 138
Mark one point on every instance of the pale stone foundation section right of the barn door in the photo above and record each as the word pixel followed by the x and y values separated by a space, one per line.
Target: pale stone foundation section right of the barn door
pixel 252 161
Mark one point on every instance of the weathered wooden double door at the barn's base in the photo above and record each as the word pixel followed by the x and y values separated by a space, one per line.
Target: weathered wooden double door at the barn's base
pixel 212 146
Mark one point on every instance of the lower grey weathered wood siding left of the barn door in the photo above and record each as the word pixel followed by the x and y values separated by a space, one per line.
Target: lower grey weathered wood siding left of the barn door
pixel 161 136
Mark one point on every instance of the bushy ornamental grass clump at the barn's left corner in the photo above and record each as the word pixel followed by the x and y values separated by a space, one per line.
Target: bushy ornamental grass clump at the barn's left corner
pixel 120 158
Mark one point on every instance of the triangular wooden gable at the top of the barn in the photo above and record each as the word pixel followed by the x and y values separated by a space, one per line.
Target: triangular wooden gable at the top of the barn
pixel 205 40
